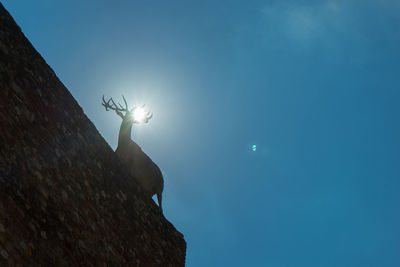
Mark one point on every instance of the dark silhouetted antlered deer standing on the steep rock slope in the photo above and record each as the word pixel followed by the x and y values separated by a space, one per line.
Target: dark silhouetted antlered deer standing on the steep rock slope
pixel 139 165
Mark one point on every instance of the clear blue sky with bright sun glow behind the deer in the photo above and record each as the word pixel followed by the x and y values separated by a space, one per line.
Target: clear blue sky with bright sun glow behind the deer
pixel 314 84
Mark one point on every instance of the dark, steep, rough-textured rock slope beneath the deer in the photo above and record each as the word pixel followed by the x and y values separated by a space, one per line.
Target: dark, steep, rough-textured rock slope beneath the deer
pixel 65 198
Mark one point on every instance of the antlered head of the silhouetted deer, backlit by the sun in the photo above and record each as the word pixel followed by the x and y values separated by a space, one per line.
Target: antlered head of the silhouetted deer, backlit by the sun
pixel 134 115
